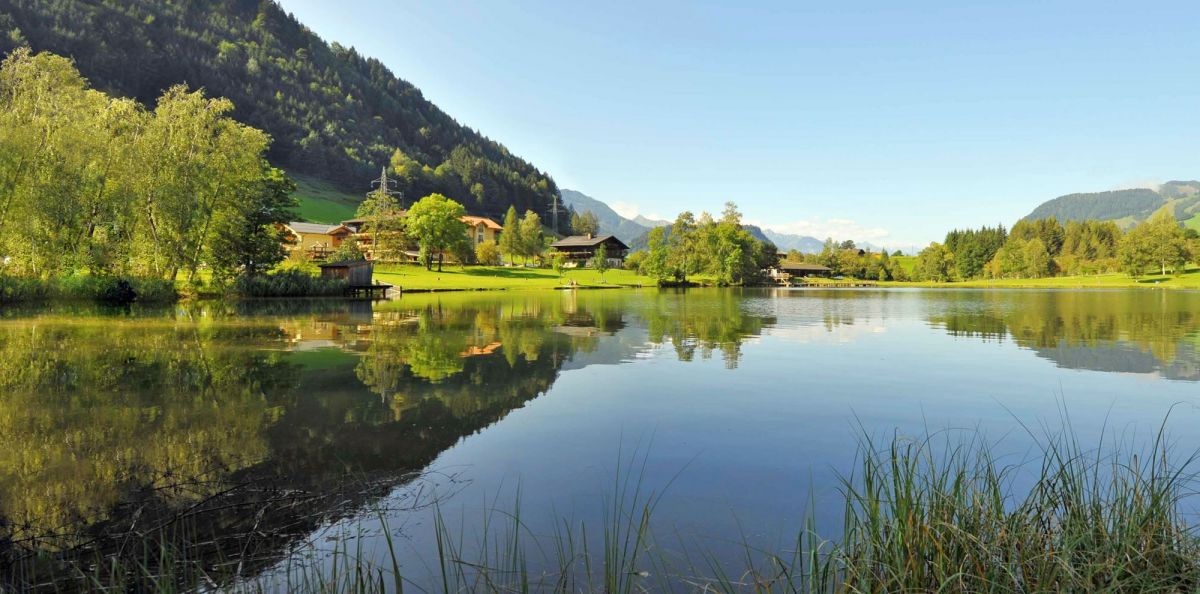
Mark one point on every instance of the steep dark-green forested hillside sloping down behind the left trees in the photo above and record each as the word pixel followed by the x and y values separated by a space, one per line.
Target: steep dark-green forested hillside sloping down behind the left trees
pixel 332 113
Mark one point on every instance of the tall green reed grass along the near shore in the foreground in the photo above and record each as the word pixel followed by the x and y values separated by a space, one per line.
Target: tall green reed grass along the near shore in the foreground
pixel 938 514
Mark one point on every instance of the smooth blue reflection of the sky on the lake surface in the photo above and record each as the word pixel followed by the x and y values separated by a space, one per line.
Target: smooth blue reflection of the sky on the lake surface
pixel 754 447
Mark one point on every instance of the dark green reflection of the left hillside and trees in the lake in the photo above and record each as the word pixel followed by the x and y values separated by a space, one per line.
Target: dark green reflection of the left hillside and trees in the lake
pixel 255 423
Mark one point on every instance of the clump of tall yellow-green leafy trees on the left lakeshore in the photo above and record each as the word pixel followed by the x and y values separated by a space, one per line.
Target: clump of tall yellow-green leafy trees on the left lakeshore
pixel 104 189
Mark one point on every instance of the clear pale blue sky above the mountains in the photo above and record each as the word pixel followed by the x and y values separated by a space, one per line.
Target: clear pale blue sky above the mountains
pixel 871 121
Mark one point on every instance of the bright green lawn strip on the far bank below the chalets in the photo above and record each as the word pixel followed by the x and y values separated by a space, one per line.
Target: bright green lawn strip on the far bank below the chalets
pixel 412 278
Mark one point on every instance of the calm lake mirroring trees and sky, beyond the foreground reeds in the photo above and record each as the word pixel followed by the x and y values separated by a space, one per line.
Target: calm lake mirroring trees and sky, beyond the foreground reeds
pixel 277 434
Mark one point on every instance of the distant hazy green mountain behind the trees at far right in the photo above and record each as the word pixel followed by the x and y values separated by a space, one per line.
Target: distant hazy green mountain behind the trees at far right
pixel 1126 207
